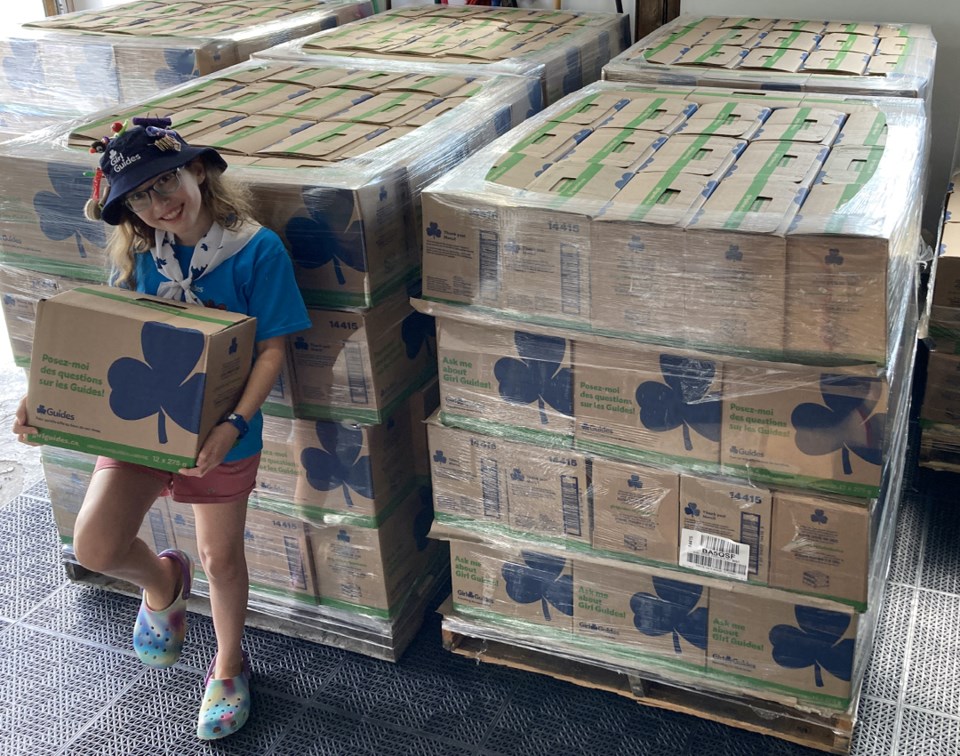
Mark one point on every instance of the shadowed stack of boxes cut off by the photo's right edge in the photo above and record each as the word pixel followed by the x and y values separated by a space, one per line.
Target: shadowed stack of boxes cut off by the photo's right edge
pixel 940 411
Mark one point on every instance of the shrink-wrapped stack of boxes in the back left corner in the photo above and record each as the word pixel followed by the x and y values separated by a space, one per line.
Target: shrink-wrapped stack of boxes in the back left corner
pixel 97 58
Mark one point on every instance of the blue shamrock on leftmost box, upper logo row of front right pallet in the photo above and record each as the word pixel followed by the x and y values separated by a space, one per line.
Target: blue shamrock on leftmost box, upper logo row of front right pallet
pixel 537 375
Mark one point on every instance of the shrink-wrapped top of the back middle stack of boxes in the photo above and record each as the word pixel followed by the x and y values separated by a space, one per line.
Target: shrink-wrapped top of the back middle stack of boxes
pixel 564 50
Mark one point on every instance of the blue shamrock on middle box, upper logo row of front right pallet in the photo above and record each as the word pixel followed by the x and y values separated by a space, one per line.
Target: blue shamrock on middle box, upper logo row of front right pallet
pixel 682 400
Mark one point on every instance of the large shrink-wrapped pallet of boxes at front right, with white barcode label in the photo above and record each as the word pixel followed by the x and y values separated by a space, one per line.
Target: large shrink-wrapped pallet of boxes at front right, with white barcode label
pixel 676 331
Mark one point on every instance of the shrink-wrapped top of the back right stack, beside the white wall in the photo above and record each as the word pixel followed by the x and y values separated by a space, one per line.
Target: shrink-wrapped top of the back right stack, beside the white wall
pixel 783 54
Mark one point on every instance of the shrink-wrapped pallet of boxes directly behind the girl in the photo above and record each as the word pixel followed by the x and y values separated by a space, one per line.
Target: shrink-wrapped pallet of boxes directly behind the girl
pixel 335 156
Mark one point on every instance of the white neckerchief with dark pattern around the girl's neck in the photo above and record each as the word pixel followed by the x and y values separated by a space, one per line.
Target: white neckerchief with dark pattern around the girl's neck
pixel 217 245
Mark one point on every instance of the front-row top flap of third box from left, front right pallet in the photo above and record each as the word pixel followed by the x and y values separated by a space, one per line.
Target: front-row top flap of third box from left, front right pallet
pixel 662 198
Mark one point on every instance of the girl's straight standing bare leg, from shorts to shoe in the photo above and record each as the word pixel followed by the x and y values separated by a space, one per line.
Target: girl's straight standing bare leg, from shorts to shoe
pixel 220 542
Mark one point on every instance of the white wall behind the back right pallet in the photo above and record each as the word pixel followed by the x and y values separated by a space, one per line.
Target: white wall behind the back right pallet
pixel 942 15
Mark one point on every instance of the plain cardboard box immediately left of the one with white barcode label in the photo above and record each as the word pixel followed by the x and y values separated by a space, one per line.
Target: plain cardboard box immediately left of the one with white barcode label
pixel 635 510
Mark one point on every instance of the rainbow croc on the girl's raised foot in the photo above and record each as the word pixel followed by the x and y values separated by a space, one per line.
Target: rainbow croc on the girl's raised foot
pixel 158 634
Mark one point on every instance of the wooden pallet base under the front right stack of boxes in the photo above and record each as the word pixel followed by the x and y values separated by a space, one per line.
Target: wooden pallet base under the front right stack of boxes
pixel 823 732
